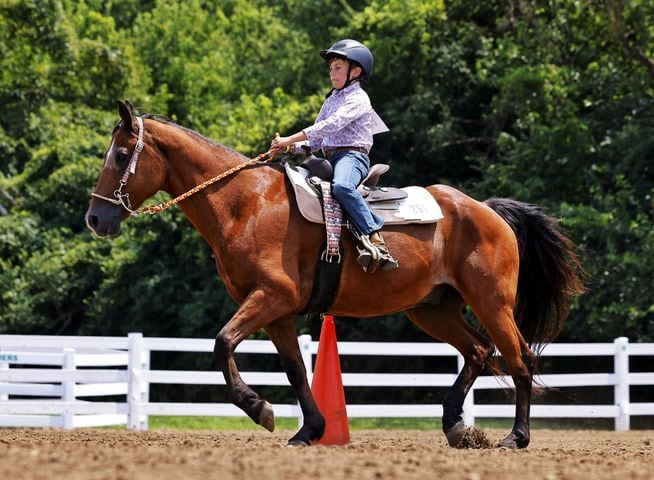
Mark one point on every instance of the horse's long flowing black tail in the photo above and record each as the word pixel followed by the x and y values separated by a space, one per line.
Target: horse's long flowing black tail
pixel 550 271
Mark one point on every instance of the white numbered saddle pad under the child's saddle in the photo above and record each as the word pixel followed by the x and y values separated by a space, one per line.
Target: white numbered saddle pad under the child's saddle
pixel 418 207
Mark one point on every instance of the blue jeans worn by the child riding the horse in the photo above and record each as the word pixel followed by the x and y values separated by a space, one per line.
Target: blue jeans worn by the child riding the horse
pixel 350 168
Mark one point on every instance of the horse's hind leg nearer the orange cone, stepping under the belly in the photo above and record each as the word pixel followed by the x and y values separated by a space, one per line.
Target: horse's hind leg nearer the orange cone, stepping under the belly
pixel 445 322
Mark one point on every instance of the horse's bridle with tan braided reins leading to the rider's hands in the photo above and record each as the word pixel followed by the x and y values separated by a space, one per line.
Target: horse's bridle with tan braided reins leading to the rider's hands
pixel 122 199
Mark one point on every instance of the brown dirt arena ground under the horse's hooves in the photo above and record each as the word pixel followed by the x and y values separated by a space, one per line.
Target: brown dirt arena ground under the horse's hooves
pixel 372 454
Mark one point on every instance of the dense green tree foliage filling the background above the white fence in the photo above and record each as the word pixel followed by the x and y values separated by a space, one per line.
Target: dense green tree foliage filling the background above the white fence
pixel 550 102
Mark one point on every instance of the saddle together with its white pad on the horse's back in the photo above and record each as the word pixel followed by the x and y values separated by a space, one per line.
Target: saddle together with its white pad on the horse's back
pixel 396 206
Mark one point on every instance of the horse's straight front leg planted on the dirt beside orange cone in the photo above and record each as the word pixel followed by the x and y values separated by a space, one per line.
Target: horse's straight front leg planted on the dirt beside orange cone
pixel 284 336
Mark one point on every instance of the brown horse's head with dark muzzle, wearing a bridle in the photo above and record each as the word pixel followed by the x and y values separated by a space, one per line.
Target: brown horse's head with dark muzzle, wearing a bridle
pixel 122 187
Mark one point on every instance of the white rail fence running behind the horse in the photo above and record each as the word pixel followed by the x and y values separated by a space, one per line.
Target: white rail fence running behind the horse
pixel 61 371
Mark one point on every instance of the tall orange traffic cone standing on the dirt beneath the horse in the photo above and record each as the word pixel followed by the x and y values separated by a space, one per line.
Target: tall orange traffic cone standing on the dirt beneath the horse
pixel 327 387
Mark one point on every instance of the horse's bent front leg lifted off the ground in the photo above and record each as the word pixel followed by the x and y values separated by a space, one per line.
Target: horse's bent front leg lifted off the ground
pixel 254 313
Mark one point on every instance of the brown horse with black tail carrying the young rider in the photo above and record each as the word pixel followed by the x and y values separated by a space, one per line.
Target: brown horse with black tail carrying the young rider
pixel 492 256
